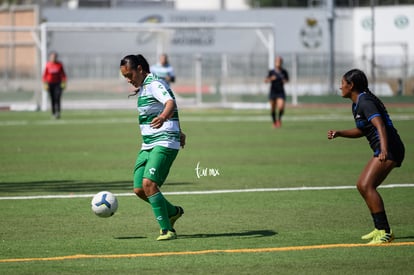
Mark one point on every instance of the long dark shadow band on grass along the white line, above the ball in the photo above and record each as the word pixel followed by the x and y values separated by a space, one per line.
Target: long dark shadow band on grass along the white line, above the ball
pixel 70 186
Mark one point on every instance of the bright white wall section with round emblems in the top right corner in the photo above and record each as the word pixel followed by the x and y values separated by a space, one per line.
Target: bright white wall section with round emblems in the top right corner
pixel 393 38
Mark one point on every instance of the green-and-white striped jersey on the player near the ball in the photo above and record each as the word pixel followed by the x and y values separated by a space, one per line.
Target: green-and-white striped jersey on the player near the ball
pixel 153 94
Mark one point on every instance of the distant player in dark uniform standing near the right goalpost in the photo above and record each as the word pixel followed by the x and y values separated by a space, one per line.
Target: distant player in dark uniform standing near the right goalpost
pixel 277 78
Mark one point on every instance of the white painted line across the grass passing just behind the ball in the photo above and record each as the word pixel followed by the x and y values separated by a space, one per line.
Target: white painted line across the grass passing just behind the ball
pixel 208 192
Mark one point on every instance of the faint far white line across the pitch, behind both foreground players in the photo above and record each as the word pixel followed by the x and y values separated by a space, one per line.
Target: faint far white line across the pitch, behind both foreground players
pixel 332 117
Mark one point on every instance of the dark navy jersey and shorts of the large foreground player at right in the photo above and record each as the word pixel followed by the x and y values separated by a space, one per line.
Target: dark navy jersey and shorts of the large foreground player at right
pixel 364 110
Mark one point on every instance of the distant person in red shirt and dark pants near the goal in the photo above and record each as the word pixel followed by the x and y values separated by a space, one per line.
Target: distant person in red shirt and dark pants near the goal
pixel 54 80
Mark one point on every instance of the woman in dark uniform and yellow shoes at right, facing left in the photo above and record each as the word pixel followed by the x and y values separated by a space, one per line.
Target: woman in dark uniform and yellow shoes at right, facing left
pixel 373 122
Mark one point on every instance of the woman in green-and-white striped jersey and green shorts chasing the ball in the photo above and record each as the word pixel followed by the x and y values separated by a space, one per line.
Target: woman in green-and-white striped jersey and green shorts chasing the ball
pixel 162 139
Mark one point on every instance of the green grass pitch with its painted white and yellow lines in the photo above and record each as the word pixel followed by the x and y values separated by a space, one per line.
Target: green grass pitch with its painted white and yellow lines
pixel 266 229
